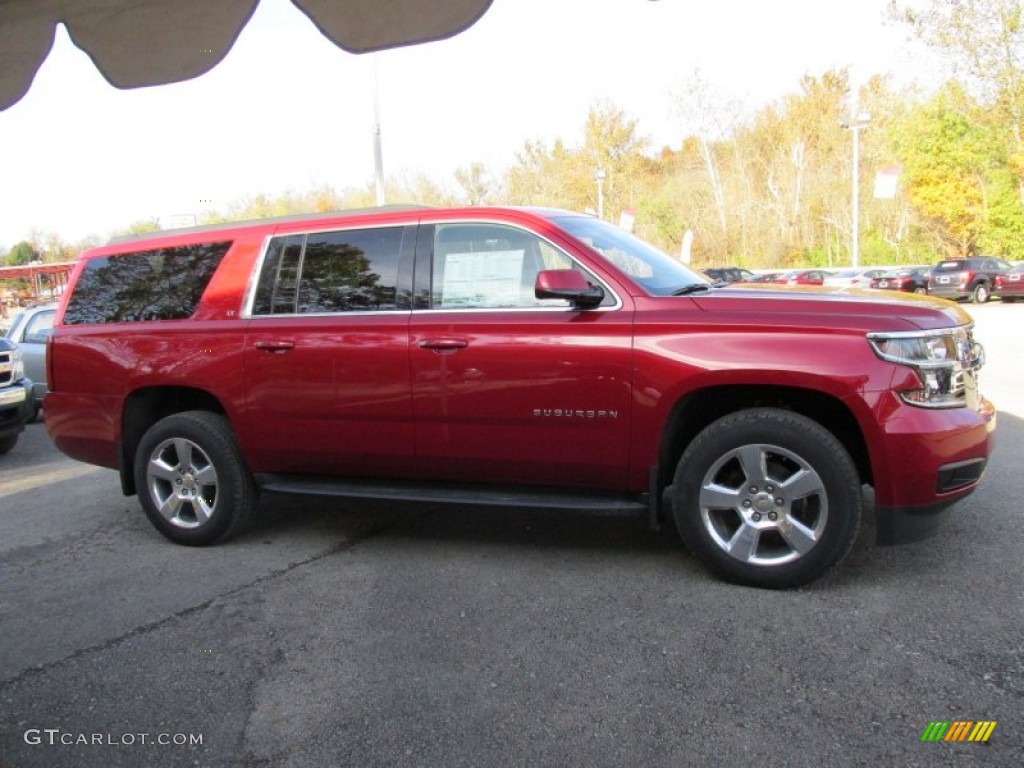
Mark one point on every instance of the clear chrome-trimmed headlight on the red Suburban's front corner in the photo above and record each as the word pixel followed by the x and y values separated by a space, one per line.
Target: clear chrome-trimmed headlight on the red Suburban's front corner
pixel 944 360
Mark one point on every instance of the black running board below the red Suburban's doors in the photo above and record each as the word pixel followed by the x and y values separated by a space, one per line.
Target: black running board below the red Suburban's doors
pixel 491 496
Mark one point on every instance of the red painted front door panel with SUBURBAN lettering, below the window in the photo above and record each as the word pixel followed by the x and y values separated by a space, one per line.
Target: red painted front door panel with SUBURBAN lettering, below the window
pixel 541 402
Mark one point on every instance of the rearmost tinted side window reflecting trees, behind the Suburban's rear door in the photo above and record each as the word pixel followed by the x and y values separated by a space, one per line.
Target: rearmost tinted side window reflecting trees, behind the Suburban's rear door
pixel 163 284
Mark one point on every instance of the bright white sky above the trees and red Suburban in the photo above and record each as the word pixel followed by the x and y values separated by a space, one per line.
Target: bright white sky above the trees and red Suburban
pixel 287 110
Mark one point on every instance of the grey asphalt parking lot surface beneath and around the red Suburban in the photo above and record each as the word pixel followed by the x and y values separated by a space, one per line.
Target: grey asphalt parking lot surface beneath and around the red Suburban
pixel 409 635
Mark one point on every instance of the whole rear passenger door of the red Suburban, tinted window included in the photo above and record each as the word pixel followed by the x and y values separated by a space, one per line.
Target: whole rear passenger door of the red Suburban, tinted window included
pixel 327 355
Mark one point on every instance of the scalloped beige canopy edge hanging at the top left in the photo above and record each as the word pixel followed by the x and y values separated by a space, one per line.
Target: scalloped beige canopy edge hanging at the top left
pixel 138 44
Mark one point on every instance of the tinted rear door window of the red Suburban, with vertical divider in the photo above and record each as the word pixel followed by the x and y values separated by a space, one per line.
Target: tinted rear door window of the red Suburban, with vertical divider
pixel 339 272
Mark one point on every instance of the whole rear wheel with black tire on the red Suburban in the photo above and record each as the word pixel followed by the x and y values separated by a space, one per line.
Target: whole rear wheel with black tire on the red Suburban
pixel 189 464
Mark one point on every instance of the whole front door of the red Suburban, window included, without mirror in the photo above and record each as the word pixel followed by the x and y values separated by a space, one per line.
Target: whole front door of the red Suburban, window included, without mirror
pixel 508 389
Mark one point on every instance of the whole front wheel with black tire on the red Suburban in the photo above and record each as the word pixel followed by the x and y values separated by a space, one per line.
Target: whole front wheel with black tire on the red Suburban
pixel 745 522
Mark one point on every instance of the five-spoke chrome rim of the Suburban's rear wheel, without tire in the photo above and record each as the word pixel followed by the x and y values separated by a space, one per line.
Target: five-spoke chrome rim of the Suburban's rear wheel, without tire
pixel 183 483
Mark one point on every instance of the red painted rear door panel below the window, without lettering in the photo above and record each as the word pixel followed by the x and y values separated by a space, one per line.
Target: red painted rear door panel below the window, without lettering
pixel 336 403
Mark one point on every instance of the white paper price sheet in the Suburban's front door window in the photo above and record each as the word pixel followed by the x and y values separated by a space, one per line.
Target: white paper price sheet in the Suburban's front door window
pixel 489 279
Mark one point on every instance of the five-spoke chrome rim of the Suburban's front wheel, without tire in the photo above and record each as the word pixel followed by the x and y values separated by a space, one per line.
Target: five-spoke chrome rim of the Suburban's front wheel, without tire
pixel 763 505
